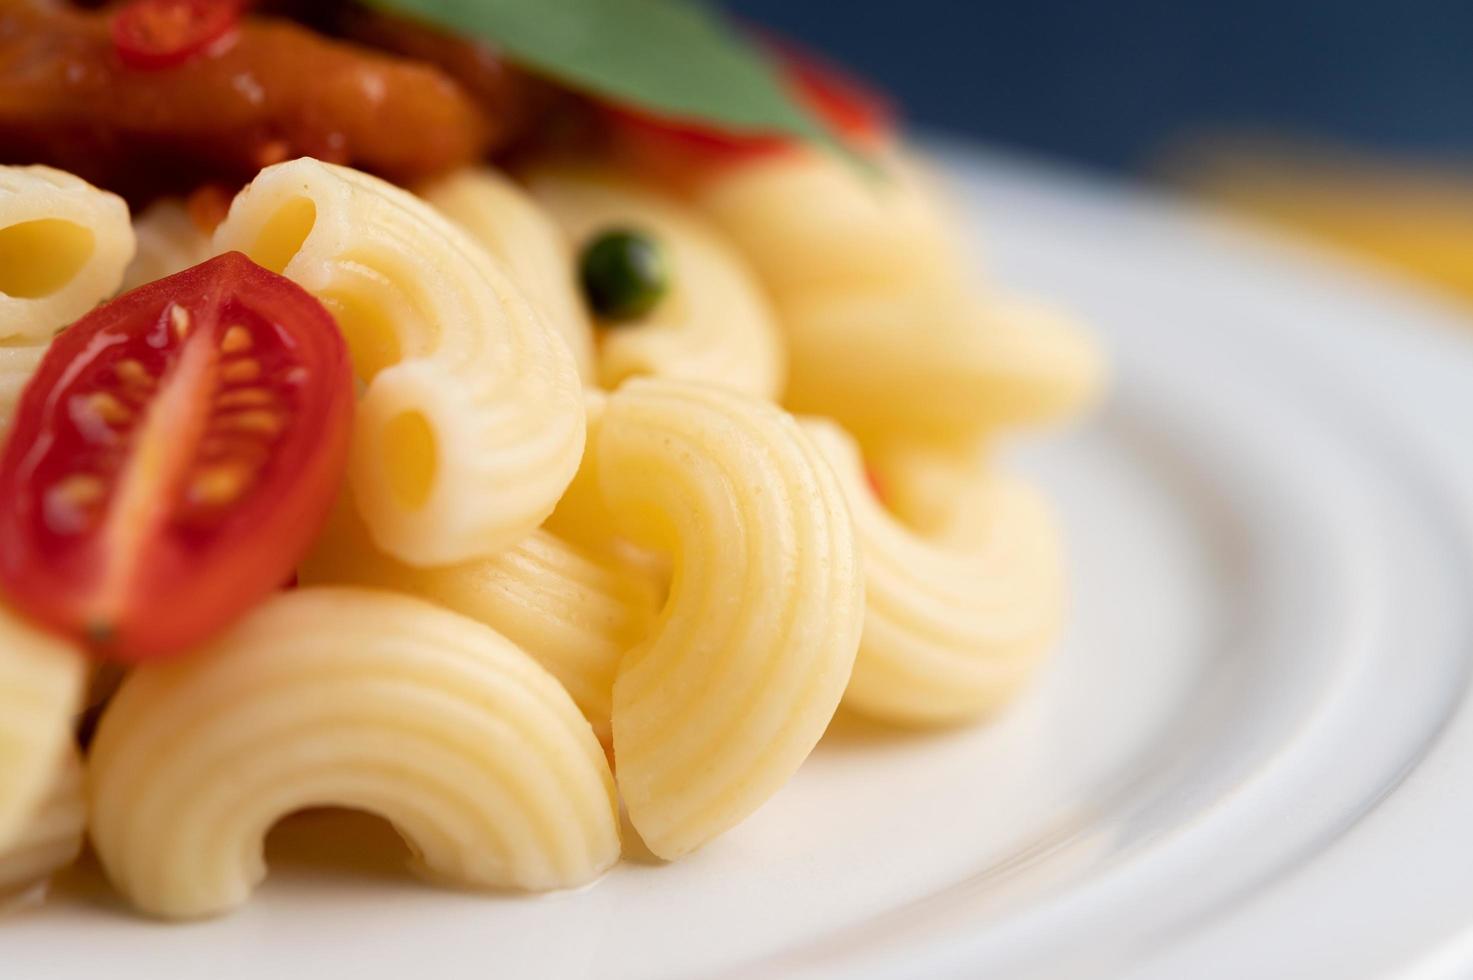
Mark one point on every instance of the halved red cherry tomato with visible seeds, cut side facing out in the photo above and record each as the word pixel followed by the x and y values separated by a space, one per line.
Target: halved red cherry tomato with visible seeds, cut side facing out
pixel 173 459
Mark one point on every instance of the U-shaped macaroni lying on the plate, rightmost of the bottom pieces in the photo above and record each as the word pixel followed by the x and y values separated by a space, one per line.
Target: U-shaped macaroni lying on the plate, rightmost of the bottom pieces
pixel 954 626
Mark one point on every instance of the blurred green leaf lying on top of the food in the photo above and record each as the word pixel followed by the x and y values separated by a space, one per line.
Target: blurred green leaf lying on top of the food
pixel 674 58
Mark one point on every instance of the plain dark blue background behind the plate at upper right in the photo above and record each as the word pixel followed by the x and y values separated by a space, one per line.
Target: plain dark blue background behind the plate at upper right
pixel 1110 82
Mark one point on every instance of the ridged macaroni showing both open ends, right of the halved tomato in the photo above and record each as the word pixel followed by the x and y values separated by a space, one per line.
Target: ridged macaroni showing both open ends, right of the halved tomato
pixel 472 421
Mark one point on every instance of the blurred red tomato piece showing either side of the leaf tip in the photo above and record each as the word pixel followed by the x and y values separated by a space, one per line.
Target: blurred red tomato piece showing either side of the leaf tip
pixel 852 110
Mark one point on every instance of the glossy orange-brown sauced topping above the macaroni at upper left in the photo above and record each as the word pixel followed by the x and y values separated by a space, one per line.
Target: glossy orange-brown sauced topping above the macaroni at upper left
pixel 281 91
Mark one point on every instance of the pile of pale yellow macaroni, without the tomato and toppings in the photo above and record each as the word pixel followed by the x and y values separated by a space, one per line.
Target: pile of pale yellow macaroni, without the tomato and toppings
pixel 575 565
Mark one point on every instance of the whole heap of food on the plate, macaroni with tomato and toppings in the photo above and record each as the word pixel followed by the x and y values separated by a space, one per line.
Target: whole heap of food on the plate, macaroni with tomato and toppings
pixel 658 449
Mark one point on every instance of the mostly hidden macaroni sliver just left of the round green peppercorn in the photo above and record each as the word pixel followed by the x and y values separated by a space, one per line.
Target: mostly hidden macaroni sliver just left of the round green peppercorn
pixel 505 220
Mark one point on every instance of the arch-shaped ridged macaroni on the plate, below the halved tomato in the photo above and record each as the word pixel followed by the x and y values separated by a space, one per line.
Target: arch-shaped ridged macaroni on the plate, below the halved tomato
pixel 348 698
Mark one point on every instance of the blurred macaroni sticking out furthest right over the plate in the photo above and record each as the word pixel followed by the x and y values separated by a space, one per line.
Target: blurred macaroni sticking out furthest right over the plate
pixel 936 368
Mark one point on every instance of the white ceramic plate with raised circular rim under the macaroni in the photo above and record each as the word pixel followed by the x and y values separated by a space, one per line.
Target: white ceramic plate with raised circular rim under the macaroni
pixel 1251 758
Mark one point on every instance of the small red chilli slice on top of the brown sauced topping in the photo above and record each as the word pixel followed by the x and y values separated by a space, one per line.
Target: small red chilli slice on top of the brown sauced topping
pixel 154 35
